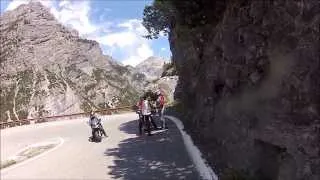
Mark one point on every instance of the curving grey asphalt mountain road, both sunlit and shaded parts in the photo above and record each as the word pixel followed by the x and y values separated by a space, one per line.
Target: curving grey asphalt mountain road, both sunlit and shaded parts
pixel 122 155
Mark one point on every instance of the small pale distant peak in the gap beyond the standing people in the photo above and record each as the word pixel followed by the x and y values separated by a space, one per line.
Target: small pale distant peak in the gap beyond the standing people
pixel 152 67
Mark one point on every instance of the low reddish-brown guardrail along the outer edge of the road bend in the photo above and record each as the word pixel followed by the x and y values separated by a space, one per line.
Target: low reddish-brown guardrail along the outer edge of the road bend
pixel 21 122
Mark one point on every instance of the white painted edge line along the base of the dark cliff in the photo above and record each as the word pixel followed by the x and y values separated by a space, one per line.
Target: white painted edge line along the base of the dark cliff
pixel 202 166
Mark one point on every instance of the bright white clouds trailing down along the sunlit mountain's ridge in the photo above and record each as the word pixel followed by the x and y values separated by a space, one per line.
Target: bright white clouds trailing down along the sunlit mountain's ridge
pixel 125 37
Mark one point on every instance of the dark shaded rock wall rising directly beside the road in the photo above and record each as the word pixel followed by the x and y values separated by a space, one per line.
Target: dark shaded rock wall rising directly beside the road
pixel 249 81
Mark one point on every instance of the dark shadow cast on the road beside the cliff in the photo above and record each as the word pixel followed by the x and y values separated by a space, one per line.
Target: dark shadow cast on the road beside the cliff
pixel 161 156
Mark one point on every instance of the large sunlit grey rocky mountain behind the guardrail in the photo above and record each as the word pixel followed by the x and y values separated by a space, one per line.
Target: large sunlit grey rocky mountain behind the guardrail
pixel 46 69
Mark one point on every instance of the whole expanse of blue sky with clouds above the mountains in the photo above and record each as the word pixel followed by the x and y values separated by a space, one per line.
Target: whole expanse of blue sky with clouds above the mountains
pixel 115 24
